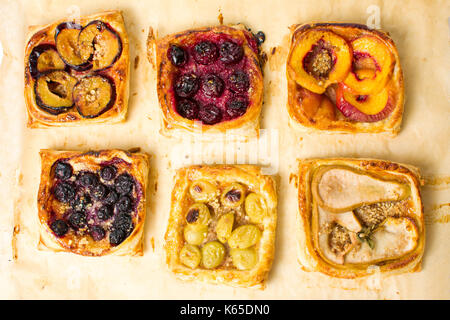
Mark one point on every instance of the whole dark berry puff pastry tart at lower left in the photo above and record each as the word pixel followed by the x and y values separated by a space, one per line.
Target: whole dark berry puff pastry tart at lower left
pixel 92 203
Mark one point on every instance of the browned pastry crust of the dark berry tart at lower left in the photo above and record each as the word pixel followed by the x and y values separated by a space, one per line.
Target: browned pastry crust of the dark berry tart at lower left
pixel 135 164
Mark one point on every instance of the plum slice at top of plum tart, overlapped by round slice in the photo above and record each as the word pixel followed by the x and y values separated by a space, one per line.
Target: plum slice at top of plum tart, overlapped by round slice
pixel 66 38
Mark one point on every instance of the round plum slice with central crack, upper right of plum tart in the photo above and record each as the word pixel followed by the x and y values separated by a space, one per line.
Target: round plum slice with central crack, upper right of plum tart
pixel 99 44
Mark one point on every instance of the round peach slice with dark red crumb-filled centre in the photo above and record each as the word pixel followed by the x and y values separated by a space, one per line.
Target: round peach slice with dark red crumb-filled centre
pixel 320 58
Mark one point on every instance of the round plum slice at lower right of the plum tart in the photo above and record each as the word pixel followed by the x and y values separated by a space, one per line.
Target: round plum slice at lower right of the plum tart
pixel 93 96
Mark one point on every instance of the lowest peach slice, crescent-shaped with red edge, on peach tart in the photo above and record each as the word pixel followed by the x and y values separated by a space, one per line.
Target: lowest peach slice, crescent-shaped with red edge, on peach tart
pixel 363 108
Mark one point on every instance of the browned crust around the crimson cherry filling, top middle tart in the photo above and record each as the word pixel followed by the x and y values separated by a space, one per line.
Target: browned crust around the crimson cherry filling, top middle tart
pixel 173 124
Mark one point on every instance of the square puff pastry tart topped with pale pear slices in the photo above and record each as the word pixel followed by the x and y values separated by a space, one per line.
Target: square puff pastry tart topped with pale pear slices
pixel 359 216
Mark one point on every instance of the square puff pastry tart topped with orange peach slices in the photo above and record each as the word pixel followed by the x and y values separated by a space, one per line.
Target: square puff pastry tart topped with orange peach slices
pixel 344 78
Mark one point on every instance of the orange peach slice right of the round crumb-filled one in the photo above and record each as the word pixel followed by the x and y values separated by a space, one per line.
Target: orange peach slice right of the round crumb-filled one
pixel 372 64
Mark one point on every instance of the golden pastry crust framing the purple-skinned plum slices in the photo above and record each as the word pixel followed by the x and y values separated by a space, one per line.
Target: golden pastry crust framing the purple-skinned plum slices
pixel 118 73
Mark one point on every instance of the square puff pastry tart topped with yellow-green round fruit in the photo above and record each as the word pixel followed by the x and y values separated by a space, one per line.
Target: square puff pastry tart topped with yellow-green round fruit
pixel 222 225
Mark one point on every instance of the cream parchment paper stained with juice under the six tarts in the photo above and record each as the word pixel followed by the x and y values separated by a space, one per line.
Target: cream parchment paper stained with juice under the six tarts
pixel 421 32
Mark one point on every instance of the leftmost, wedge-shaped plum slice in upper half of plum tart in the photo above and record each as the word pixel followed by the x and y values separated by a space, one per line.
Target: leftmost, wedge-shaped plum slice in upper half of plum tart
pixel 44 58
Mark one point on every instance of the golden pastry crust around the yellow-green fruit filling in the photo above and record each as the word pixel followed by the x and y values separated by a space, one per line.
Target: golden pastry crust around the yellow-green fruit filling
pixel 223 175
